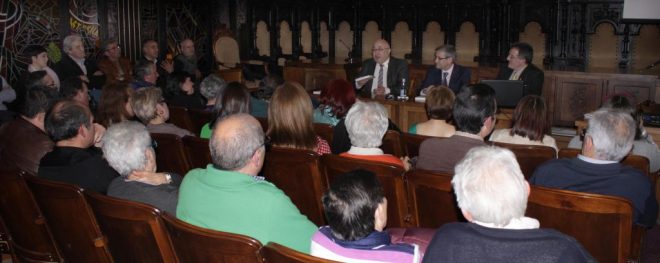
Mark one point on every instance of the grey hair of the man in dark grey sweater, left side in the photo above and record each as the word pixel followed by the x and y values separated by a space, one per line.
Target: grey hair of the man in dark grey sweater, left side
pixel 125 145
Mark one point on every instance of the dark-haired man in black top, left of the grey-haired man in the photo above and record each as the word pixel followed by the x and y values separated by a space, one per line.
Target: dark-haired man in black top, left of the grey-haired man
pixel 74 158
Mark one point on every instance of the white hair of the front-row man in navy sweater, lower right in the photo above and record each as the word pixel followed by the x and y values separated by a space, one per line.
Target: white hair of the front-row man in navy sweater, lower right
pixel 490 186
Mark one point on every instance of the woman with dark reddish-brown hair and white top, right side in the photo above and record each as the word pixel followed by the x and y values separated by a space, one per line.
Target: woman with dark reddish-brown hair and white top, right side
pixel 530 124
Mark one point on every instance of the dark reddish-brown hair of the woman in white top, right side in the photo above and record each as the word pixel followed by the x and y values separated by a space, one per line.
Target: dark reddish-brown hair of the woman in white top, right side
pixel 530 118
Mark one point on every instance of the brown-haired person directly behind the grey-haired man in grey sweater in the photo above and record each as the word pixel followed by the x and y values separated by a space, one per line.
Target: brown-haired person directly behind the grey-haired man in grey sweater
pixel 115 105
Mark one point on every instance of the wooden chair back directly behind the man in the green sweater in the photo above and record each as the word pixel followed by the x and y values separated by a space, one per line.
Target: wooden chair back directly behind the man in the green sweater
pixel 196 244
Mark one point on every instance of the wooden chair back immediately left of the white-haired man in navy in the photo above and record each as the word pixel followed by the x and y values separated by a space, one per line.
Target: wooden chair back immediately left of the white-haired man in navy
pixel 431 200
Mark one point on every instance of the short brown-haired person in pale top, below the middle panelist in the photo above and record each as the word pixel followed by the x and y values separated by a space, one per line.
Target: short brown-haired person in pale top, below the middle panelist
pixel 439 103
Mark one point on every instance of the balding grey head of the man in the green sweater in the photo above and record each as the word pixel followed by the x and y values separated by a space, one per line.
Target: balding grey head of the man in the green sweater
pixel 235 140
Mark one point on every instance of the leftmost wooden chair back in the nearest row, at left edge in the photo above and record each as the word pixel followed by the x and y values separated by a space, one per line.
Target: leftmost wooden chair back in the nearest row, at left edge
pixel 31 239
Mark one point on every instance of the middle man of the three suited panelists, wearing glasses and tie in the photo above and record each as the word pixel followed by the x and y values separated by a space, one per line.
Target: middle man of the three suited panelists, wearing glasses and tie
pixel 445 72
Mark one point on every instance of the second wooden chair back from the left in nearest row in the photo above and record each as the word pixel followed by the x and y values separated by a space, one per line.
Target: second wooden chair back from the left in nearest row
pixel 72 221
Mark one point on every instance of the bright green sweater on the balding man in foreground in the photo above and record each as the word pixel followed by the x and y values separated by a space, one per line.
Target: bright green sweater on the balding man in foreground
pixel 238 203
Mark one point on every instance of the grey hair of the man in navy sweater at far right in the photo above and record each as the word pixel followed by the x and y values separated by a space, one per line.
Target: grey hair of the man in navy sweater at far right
pixel 612 132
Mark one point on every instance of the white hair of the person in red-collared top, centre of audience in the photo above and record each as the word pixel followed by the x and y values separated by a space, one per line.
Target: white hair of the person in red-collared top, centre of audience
pixel 366 123
